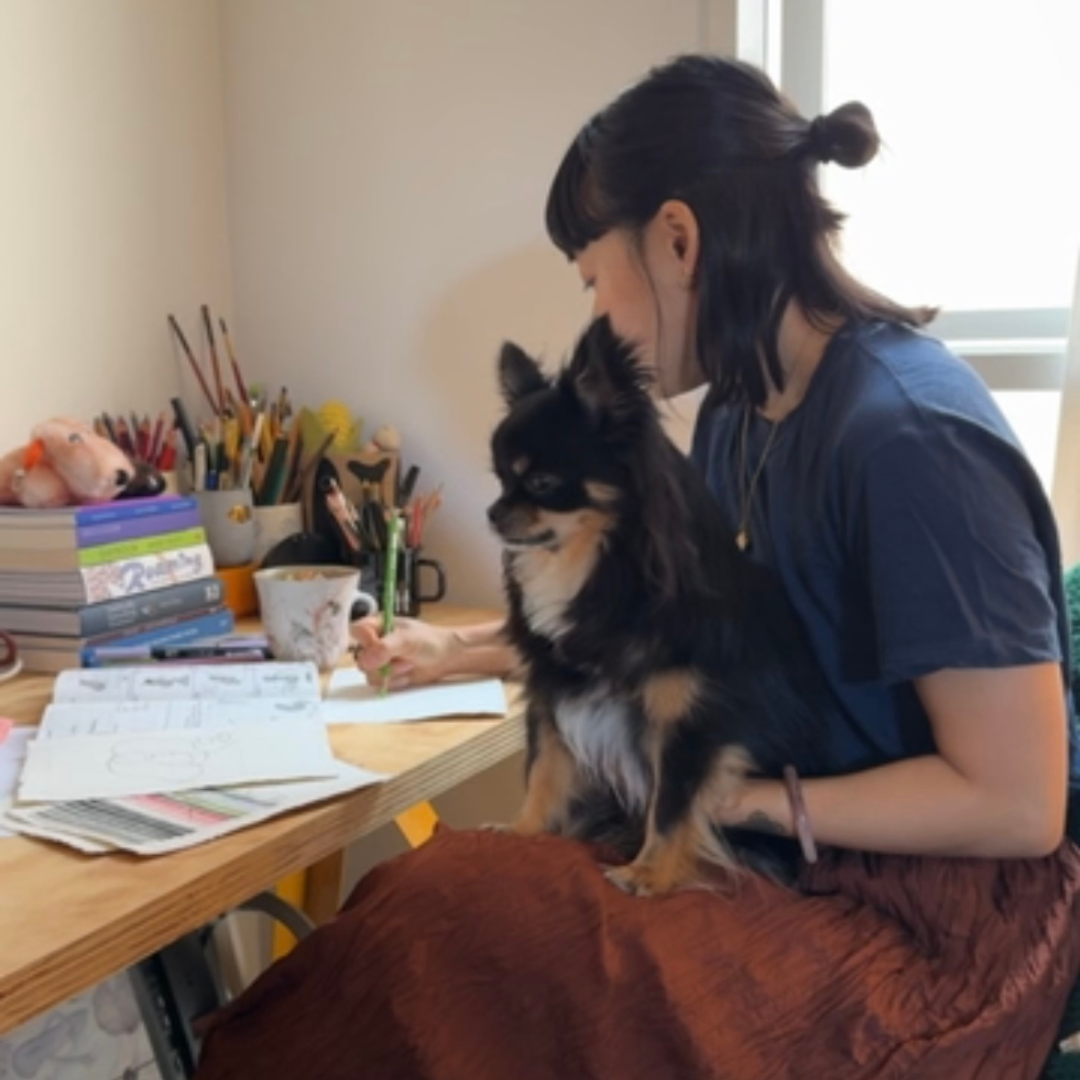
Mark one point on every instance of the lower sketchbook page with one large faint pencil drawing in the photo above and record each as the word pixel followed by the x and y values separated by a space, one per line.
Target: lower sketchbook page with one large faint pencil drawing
pixel 147 763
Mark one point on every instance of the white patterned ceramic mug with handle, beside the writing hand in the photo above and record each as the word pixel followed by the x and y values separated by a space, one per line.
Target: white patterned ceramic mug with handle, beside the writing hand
pixel 307 610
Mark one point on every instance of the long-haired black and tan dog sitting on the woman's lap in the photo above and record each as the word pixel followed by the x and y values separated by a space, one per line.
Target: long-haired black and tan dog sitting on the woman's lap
pixel 663 666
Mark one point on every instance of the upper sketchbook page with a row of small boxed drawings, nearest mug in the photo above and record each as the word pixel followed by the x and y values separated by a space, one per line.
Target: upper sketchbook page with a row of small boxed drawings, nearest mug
pixel 201 682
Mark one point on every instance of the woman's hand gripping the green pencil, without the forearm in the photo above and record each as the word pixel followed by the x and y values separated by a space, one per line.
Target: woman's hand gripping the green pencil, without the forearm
pixel 416 652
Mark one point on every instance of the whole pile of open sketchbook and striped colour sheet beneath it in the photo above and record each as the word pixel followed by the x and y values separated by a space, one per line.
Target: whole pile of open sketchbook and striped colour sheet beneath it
pixel 138 759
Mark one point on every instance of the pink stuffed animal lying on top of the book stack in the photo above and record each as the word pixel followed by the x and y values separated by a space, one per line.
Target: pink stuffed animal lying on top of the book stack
pixel 64 464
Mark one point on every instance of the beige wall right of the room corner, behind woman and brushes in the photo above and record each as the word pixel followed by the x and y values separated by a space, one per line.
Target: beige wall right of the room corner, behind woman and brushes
pixel 388 164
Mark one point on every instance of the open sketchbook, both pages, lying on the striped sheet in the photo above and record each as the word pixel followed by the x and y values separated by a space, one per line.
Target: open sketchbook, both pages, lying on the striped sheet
pixel 116 733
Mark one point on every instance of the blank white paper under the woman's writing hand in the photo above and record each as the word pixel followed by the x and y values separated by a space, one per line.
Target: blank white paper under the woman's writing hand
pixel 350 700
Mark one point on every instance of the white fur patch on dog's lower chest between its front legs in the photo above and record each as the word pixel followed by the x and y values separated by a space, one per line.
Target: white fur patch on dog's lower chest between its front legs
pixel 601 734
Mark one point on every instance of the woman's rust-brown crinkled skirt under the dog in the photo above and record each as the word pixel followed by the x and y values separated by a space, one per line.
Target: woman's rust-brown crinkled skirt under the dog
pixel 487 957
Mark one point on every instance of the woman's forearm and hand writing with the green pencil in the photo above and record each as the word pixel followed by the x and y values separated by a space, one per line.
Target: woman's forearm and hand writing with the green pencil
pixel 422 653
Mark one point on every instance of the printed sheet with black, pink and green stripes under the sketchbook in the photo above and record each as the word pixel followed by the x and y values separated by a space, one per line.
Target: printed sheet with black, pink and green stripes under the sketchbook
pixel 154 826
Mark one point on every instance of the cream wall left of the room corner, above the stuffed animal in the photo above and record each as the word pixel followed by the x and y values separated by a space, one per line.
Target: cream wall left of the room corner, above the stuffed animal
pixel 112 200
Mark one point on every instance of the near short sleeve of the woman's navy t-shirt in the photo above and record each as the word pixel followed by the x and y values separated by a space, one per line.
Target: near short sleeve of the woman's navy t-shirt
pixel 948 537
